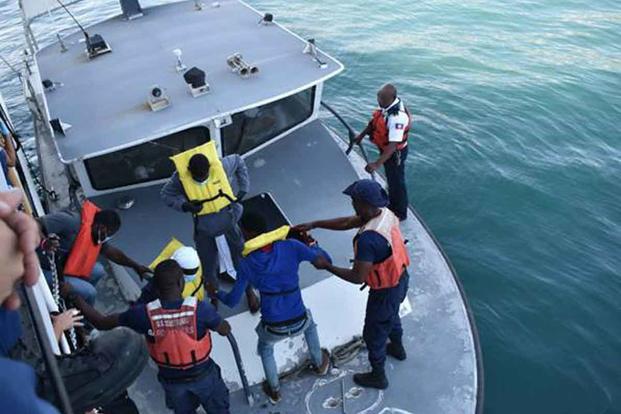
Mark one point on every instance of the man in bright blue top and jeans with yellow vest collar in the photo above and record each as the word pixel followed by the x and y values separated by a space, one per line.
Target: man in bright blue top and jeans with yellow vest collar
pixel 271 265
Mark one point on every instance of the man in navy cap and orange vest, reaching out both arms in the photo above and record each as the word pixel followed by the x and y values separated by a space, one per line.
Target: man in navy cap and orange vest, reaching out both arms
pixel 380 262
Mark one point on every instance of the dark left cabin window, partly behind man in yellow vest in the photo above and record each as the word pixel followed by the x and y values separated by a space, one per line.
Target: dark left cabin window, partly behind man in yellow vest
pixel 142 163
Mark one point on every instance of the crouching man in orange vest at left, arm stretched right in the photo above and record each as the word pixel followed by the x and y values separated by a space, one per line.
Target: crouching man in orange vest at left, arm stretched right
pixel 77 239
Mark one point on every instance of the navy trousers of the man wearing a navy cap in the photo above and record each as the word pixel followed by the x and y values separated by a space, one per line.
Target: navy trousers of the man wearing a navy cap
pixel 382 321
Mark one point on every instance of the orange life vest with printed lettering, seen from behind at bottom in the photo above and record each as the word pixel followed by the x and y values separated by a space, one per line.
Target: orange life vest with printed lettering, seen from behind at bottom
pixel 175 341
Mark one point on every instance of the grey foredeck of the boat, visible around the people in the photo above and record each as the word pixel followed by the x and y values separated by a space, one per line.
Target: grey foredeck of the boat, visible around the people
pixel 441 372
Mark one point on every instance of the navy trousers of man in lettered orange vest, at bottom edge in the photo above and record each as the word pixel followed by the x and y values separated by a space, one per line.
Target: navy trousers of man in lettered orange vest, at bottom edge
pixel 208 390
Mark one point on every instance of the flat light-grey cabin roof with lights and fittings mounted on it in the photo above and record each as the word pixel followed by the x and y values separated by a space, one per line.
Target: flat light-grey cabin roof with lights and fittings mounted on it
pixel 105 99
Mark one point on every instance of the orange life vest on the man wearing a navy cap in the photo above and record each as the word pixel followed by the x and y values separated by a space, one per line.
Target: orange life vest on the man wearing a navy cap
pixel 387 273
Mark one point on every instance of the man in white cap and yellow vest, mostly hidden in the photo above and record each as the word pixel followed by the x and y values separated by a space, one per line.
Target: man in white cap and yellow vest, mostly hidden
pixel 188 259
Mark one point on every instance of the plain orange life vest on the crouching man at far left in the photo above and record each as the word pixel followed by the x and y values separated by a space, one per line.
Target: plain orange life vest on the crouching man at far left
pixel 84 251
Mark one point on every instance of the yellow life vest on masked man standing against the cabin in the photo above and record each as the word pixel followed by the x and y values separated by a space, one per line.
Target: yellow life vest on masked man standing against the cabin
pixel 217 182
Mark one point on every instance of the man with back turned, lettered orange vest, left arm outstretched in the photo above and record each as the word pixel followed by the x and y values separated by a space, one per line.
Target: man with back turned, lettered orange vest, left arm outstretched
pixel 178 340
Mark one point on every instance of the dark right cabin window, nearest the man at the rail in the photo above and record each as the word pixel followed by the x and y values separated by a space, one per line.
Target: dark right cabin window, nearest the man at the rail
pixel 256 126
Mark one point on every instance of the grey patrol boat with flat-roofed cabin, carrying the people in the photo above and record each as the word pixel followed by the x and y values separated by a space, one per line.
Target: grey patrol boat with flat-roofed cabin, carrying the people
pixel 111 104
